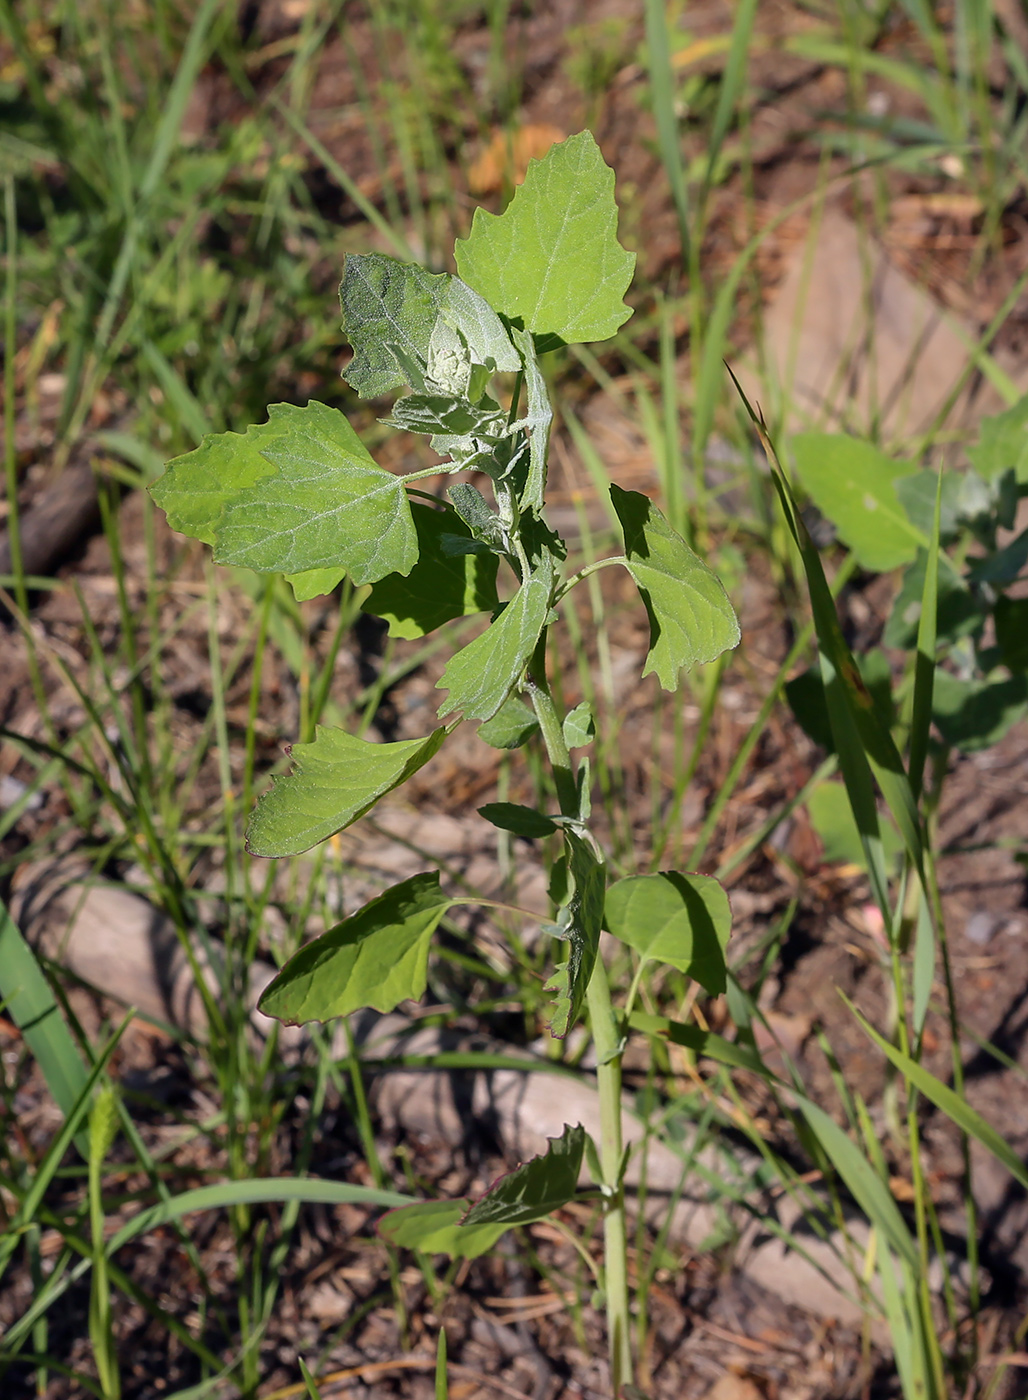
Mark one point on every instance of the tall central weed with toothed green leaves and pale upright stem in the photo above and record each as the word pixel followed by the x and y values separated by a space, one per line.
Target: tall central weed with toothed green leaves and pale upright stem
pixel 302 496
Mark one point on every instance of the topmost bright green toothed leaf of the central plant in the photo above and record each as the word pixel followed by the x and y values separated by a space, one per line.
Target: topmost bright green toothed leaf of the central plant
pixel 553 260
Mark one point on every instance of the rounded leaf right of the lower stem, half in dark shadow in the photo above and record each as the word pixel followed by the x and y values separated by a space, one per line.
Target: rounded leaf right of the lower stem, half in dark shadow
pixel 681 920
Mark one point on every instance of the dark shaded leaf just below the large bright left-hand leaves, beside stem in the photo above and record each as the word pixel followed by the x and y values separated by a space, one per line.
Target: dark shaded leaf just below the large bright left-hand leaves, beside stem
pixel 442 586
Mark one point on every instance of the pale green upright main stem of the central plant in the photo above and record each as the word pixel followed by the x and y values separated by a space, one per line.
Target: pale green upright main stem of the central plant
pixel 607 1041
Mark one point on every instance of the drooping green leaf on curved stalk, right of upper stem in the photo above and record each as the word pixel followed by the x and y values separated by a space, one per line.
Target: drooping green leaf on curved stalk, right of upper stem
pixel 691 618
